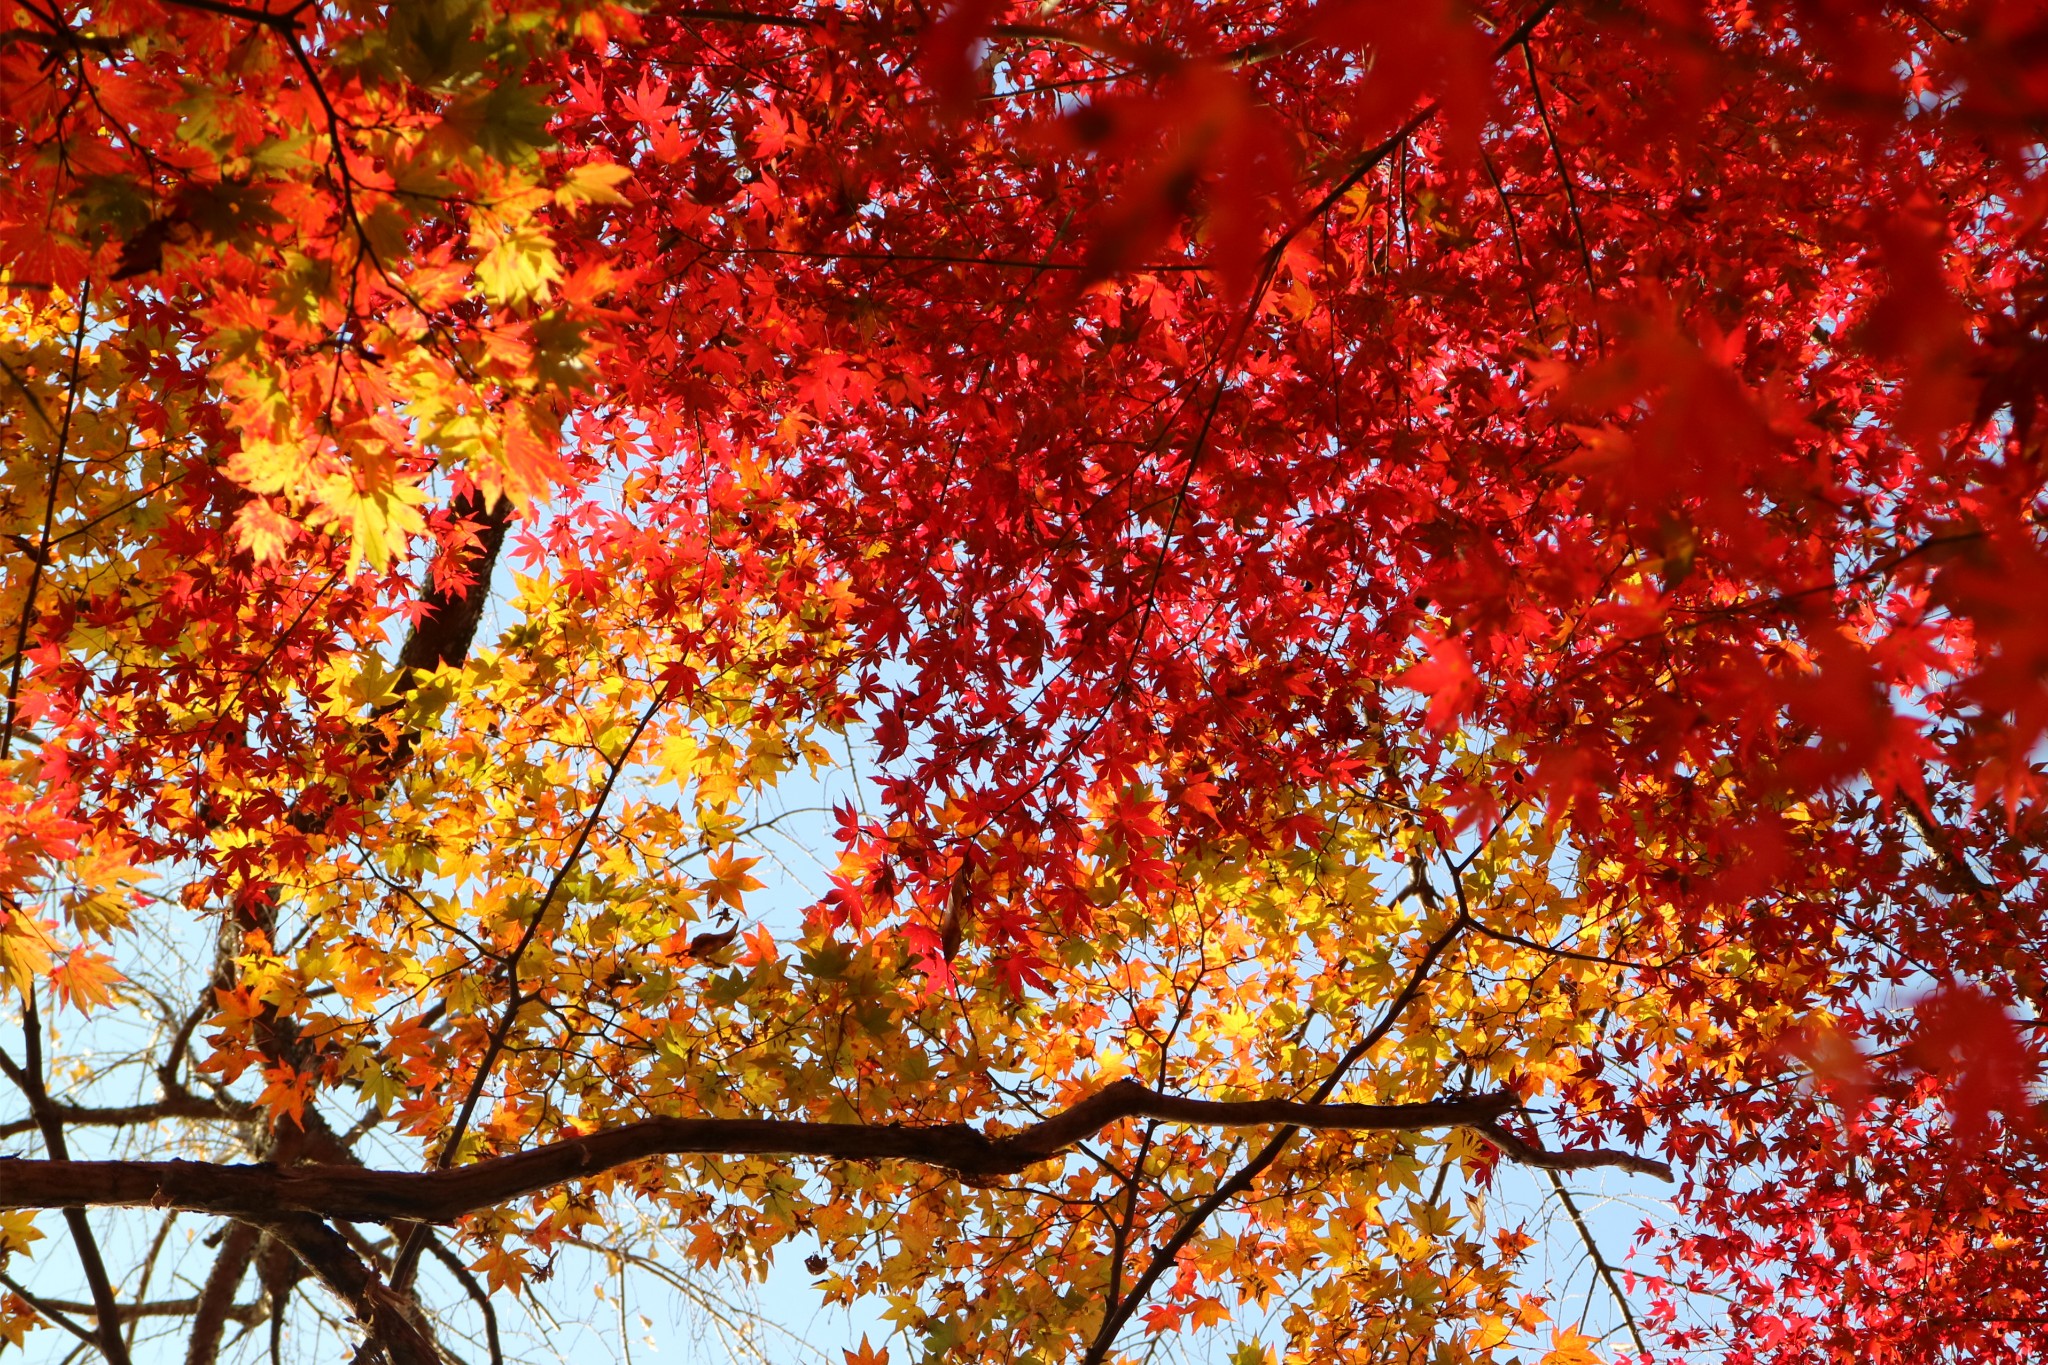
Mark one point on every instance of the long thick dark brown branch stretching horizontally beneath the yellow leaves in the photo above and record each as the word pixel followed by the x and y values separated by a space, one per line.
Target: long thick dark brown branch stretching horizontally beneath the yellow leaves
pixel 355 1194
